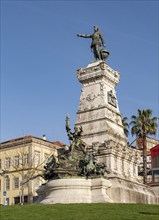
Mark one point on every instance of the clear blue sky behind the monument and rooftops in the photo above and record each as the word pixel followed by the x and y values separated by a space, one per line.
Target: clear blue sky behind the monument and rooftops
pixel 40 54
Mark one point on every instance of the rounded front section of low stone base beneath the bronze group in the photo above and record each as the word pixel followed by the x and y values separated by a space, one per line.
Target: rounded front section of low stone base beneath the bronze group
pixel 74 190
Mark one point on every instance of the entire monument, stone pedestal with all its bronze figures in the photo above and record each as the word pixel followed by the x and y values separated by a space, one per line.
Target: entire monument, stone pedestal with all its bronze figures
pixel 98 166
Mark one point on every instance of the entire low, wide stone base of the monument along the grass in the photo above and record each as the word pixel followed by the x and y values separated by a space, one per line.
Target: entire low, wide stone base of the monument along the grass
pixel 98 190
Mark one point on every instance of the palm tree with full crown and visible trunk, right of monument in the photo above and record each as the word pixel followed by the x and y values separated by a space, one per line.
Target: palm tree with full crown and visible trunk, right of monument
pixel 142 125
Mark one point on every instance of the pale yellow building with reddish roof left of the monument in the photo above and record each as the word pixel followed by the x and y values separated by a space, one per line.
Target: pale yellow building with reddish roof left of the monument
pixel 21 160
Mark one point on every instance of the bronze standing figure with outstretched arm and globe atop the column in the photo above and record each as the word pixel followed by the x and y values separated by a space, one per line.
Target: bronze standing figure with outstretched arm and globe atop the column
pixel 97 40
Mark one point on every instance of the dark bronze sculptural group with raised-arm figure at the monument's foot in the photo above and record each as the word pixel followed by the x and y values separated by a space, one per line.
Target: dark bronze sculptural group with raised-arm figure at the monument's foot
pixel 73 160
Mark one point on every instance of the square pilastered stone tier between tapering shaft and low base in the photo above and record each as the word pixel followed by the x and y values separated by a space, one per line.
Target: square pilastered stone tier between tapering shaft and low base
pixel 120 160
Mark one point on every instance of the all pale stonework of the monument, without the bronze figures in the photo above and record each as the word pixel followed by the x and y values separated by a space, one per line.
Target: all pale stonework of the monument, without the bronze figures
pixel 99 115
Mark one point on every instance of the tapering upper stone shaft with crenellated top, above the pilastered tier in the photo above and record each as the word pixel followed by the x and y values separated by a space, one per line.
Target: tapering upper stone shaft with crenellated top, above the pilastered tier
pixel 98 111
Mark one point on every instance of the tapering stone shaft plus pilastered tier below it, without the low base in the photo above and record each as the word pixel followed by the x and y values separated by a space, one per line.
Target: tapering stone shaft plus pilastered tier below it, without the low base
pixel 99 115
